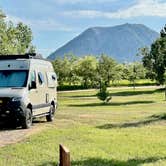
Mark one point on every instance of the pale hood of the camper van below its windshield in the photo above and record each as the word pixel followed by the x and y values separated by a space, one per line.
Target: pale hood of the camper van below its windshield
pixel 12 92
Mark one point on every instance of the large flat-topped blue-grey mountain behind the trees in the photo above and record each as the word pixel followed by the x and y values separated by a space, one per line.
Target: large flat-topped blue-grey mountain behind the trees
pixel 120 42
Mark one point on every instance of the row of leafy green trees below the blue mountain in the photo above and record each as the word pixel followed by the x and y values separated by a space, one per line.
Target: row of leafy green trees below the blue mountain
pixel 91 71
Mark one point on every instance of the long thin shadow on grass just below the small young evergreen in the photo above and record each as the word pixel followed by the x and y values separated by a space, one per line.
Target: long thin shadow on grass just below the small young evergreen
pixel 110 104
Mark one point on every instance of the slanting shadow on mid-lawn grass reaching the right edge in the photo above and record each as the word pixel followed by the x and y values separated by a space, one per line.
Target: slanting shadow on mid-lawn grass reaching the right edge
pixel 149 120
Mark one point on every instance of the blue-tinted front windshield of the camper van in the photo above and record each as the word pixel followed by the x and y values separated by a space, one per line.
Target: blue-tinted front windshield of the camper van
pixel 13 78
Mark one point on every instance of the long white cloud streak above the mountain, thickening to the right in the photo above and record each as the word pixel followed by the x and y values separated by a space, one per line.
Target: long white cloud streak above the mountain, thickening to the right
pixel 141 8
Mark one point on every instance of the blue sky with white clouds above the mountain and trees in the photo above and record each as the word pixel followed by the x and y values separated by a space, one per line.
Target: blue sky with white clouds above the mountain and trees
pixel 55 22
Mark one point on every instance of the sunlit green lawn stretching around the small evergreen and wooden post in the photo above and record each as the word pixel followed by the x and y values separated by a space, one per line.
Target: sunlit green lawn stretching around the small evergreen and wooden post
pixel 129 131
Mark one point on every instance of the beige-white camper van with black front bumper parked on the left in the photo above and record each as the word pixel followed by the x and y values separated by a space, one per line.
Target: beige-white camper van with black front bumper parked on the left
pixel 27 89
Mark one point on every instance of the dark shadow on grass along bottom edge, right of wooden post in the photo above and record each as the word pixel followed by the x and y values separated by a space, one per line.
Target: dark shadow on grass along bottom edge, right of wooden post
pixel 105 162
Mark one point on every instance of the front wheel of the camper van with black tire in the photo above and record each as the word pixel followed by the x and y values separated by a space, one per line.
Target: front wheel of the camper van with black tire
pixel 27 120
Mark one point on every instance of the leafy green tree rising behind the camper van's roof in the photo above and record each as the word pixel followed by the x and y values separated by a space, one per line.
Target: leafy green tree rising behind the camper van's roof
pixel 15 39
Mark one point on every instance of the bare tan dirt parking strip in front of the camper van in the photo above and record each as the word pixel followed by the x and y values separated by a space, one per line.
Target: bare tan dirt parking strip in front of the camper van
pixel 10 136
